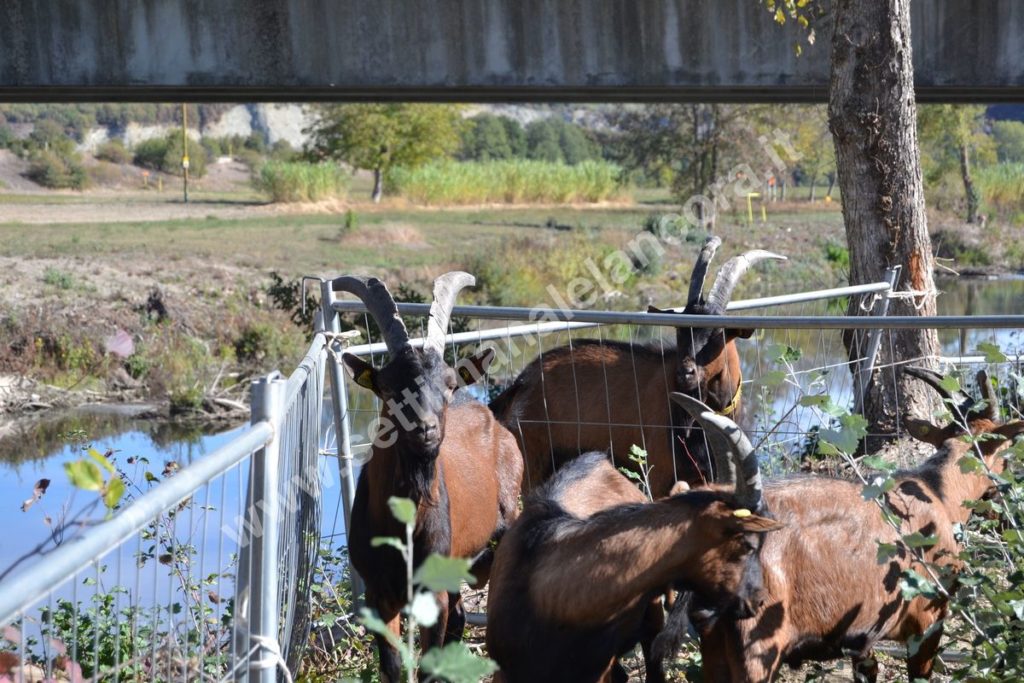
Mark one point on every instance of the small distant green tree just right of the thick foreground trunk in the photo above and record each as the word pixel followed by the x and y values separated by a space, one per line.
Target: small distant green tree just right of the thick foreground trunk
pixel 955 135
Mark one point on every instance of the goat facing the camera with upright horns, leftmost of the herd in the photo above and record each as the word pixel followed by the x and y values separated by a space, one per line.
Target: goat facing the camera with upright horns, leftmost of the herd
pixel 435 446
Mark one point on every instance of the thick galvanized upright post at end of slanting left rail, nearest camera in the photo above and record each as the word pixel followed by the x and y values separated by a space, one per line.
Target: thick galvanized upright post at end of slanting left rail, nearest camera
pixel 265 509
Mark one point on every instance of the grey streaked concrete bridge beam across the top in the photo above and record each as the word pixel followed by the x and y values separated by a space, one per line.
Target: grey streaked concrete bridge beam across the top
pixel 516 51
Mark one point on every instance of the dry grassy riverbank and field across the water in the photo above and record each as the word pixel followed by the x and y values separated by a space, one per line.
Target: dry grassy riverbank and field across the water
pixel 180 311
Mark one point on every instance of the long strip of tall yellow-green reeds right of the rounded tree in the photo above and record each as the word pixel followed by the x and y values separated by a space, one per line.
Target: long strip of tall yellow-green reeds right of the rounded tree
pixel 507 182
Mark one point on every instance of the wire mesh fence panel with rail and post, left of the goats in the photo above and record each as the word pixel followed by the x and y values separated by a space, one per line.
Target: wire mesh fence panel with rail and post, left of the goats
pixel 166 581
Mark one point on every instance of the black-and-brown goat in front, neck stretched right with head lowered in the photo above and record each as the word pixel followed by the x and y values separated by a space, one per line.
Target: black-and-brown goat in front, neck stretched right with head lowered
pixel 577 580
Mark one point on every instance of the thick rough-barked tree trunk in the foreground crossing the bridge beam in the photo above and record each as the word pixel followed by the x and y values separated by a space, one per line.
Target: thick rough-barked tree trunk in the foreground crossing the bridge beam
pixel 873 118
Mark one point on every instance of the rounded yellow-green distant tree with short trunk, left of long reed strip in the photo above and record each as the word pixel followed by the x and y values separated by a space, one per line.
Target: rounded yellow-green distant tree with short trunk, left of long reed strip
pixel 378 138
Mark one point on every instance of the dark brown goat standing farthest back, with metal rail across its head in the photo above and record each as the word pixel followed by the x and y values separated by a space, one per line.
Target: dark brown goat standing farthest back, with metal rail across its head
pixel 601 396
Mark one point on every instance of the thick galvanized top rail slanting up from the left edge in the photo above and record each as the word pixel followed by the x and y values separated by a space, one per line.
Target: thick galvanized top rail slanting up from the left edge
pixel 25 588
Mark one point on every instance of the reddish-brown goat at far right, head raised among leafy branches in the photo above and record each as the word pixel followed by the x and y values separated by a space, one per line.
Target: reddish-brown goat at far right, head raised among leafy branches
pixel 826 592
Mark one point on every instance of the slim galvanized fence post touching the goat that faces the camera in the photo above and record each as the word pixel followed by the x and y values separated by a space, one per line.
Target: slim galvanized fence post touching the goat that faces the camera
pixel 339 403
